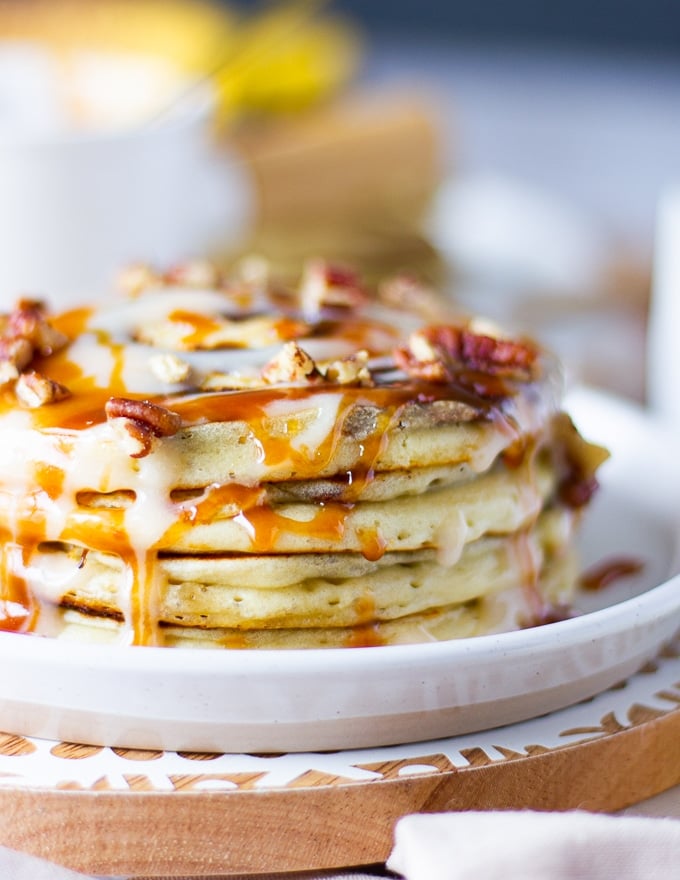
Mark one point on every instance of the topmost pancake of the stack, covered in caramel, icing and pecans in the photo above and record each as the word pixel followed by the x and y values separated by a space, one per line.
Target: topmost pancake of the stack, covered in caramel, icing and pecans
pixel 366 403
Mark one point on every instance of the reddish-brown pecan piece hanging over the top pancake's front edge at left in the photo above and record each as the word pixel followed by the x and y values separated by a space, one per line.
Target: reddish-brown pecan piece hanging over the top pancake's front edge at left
pixel 140 423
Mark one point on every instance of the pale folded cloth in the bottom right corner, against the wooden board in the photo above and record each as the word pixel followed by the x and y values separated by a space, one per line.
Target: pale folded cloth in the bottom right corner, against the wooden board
pixel 540 846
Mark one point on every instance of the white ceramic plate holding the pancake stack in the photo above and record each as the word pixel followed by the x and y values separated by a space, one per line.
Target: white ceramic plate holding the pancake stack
pixel 282 701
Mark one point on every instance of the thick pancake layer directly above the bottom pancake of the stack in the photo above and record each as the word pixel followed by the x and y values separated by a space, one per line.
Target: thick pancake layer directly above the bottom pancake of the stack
pixel 207 594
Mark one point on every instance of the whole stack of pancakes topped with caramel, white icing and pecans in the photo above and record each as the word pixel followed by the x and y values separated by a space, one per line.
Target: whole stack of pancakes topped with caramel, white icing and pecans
pixel 228 462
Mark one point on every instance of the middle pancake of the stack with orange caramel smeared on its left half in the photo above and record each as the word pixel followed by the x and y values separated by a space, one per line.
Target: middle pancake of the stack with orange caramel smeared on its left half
pixel 229 518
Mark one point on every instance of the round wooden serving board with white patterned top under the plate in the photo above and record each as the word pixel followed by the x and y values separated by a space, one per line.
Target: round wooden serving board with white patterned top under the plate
pixel 165 814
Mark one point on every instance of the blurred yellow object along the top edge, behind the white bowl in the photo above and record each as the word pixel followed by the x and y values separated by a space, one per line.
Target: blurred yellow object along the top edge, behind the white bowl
pixel 282 59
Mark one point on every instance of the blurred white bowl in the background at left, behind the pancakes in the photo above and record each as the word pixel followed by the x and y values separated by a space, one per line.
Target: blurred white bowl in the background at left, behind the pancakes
pixel 79 198
